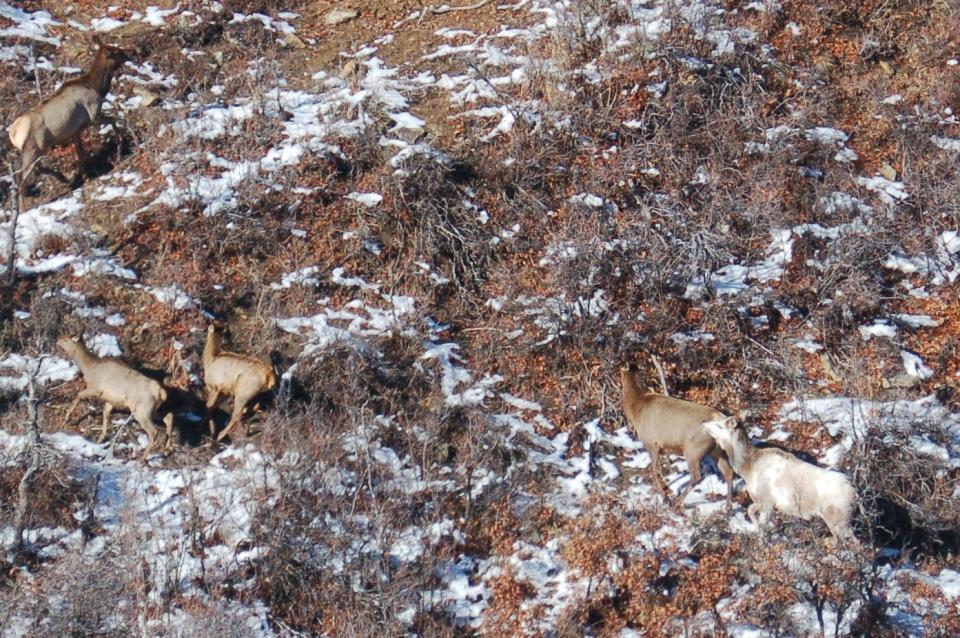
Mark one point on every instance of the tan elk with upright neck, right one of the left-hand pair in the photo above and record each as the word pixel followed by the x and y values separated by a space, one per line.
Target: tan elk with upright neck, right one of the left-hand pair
pixel 232 374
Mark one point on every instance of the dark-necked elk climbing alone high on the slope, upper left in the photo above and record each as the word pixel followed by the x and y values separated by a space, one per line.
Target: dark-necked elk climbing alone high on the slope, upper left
pixel 62 118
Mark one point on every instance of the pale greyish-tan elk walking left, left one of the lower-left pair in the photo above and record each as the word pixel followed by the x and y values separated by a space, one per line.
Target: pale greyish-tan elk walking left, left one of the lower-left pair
pixel 119 386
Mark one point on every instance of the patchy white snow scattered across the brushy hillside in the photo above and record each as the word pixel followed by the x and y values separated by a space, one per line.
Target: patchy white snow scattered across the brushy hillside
pixel 206 164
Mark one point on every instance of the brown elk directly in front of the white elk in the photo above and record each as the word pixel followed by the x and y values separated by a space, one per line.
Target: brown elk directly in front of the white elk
pixel 666 424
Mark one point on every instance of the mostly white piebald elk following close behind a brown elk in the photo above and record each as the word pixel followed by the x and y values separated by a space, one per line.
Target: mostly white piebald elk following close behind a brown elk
pixel 777 480
